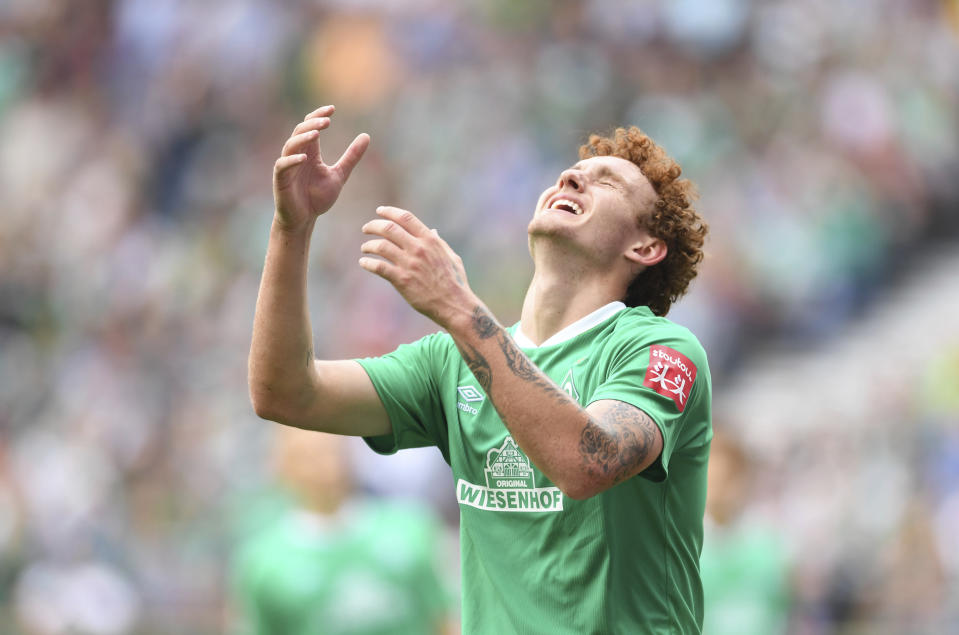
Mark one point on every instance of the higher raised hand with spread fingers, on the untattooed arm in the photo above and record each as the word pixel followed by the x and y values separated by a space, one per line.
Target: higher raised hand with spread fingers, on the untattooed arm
pixel 304 186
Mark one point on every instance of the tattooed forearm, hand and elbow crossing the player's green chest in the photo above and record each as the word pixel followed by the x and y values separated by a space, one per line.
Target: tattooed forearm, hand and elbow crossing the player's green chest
pixel 584 451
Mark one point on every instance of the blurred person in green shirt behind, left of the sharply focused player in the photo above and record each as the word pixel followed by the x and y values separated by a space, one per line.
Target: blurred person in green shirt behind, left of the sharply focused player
pixel 335 563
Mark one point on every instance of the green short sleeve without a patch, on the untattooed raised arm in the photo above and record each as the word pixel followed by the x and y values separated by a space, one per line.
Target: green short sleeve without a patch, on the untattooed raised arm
pixel 406 382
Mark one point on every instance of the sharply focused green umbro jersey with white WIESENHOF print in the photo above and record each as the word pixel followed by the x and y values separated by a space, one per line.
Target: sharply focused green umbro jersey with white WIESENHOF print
pixel 534 560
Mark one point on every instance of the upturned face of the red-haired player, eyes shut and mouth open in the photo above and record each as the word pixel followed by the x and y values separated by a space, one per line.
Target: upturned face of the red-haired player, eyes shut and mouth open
pixel 595 206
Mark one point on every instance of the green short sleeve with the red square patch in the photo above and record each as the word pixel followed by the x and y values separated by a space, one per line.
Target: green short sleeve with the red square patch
pixel 663 380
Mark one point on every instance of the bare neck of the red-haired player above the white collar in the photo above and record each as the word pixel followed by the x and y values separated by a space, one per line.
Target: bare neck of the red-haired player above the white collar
pixel 555 300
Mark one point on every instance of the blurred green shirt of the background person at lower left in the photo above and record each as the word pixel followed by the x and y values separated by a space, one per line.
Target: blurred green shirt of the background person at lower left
pixel 370 570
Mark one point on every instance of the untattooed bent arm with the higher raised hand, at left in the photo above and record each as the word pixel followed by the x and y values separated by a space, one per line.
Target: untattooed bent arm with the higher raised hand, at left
pixel 287 384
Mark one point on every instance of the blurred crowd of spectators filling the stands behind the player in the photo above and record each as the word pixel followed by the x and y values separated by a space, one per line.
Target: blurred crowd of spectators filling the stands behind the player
pixel 137 139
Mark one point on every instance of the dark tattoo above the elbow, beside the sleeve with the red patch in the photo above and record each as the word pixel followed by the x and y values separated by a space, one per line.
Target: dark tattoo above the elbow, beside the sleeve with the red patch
pixel 618 441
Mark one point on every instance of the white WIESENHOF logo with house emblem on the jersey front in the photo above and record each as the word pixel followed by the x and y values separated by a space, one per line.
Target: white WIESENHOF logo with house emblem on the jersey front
pixel 510 485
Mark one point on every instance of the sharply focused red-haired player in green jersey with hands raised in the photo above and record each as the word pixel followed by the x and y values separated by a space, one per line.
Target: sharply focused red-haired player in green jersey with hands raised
pixel 578 437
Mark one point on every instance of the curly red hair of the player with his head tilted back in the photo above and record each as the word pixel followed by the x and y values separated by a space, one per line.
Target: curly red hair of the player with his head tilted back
pixel 672 218
